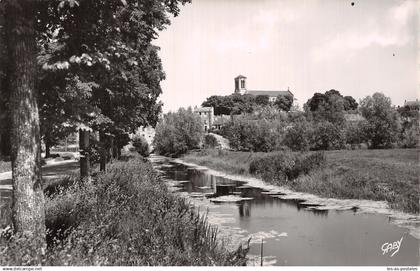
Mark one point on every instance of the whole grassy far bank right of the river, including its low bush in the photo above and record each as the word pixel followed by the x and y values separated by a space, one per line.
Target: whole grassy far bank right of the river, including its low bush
pixel 388 174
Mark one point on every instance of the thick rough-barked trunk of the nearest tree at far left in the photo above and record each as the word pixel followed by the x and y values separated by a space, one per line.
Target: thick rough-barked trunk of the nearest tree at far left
pixel 28 197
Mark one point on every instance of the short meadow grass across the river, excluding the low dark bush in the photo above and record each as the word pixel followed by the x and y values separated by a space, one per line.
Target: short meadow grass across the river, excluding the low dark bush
pixel 390 175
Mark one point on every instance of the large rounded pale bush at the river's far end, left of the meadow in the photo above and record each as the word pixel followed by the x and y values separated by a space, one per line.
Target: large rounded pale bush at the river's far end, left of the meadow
pixel 178 132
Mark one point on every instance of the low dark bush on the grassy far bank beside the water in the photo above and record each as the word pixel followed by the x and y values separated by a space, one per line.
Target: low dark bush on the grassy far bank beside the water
pixel 283 167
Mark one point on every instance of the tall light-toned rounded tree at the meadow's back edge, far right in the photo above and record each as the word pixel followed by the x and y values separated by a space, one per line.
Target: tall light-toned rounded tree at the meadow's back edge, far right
pixel 382 125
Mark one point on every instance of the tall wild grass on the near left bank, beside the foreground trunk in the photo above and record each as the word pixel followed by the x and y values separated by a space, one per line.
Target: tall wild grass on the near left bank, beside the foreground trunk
pixel 125 216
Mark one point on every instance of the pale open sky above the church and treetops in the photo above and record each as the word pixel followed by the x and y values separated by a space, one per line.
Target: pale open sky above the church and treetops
pixel 307 46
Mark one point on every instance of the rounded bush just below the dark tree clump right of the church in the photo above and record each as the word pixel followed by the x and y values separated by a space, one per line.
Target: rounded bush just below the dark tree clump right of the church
pixel 327 136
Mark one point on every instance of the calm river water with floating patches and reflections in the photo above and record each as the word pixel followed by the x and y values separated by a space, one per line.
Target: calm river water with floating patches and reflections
pixel 293 233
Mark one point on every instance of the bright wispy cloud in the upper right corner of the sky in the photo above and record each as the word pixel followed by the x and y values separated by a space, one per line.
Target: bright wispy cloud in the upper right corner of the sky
pixel 389 30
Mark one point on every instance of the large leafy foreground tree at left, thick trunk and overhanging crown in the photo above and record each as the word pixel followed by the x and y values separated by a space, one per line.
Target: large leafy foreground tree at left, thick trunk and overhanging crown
pixel 98 44
